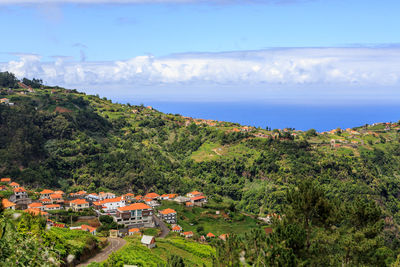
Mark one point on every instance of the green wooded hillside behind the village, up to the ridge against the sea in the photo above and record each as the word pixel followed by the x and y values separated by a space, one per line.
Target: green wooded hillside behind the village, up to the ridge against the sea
pixel 62 138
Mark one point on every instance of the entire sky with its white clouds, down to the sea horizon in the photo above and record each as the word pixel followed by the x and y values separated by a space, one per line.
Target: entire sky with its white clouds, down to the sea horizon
pixel 287 52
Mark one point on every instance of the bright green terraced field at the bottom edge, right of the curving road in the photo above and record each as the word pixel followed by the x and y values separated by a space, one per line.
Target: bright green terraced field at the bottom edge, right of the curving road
pixel 134 253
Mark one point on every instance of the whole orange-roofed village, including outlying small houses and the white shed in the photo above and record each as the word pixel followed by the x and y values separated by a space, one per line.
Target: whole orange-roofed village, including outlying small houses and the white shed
pixel 132 213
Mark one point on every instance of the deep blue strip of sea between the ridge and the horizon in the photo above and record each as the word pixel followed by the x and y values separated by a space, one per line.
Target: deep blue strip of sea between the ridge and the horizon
pixel 321 118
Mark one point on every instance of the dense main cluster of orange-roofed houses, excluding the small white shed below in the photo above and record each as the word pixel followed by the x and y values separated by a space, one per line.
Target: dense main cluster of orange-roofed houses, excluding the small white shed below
pixel 132 211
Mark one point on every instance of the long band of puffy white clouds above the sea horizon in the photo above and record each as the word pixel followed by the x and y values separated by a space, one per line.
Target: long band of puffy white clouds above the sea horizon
pixel 295 66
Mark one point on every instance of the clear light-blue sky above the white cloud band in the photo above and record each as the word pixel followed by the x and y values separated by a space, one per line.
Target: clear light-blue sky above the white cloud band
pixel 122 31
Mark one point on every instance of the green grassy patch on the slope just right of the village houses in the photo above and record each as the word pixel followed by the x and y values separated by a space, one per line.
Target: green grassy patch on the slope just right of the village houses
pixel 196 218
